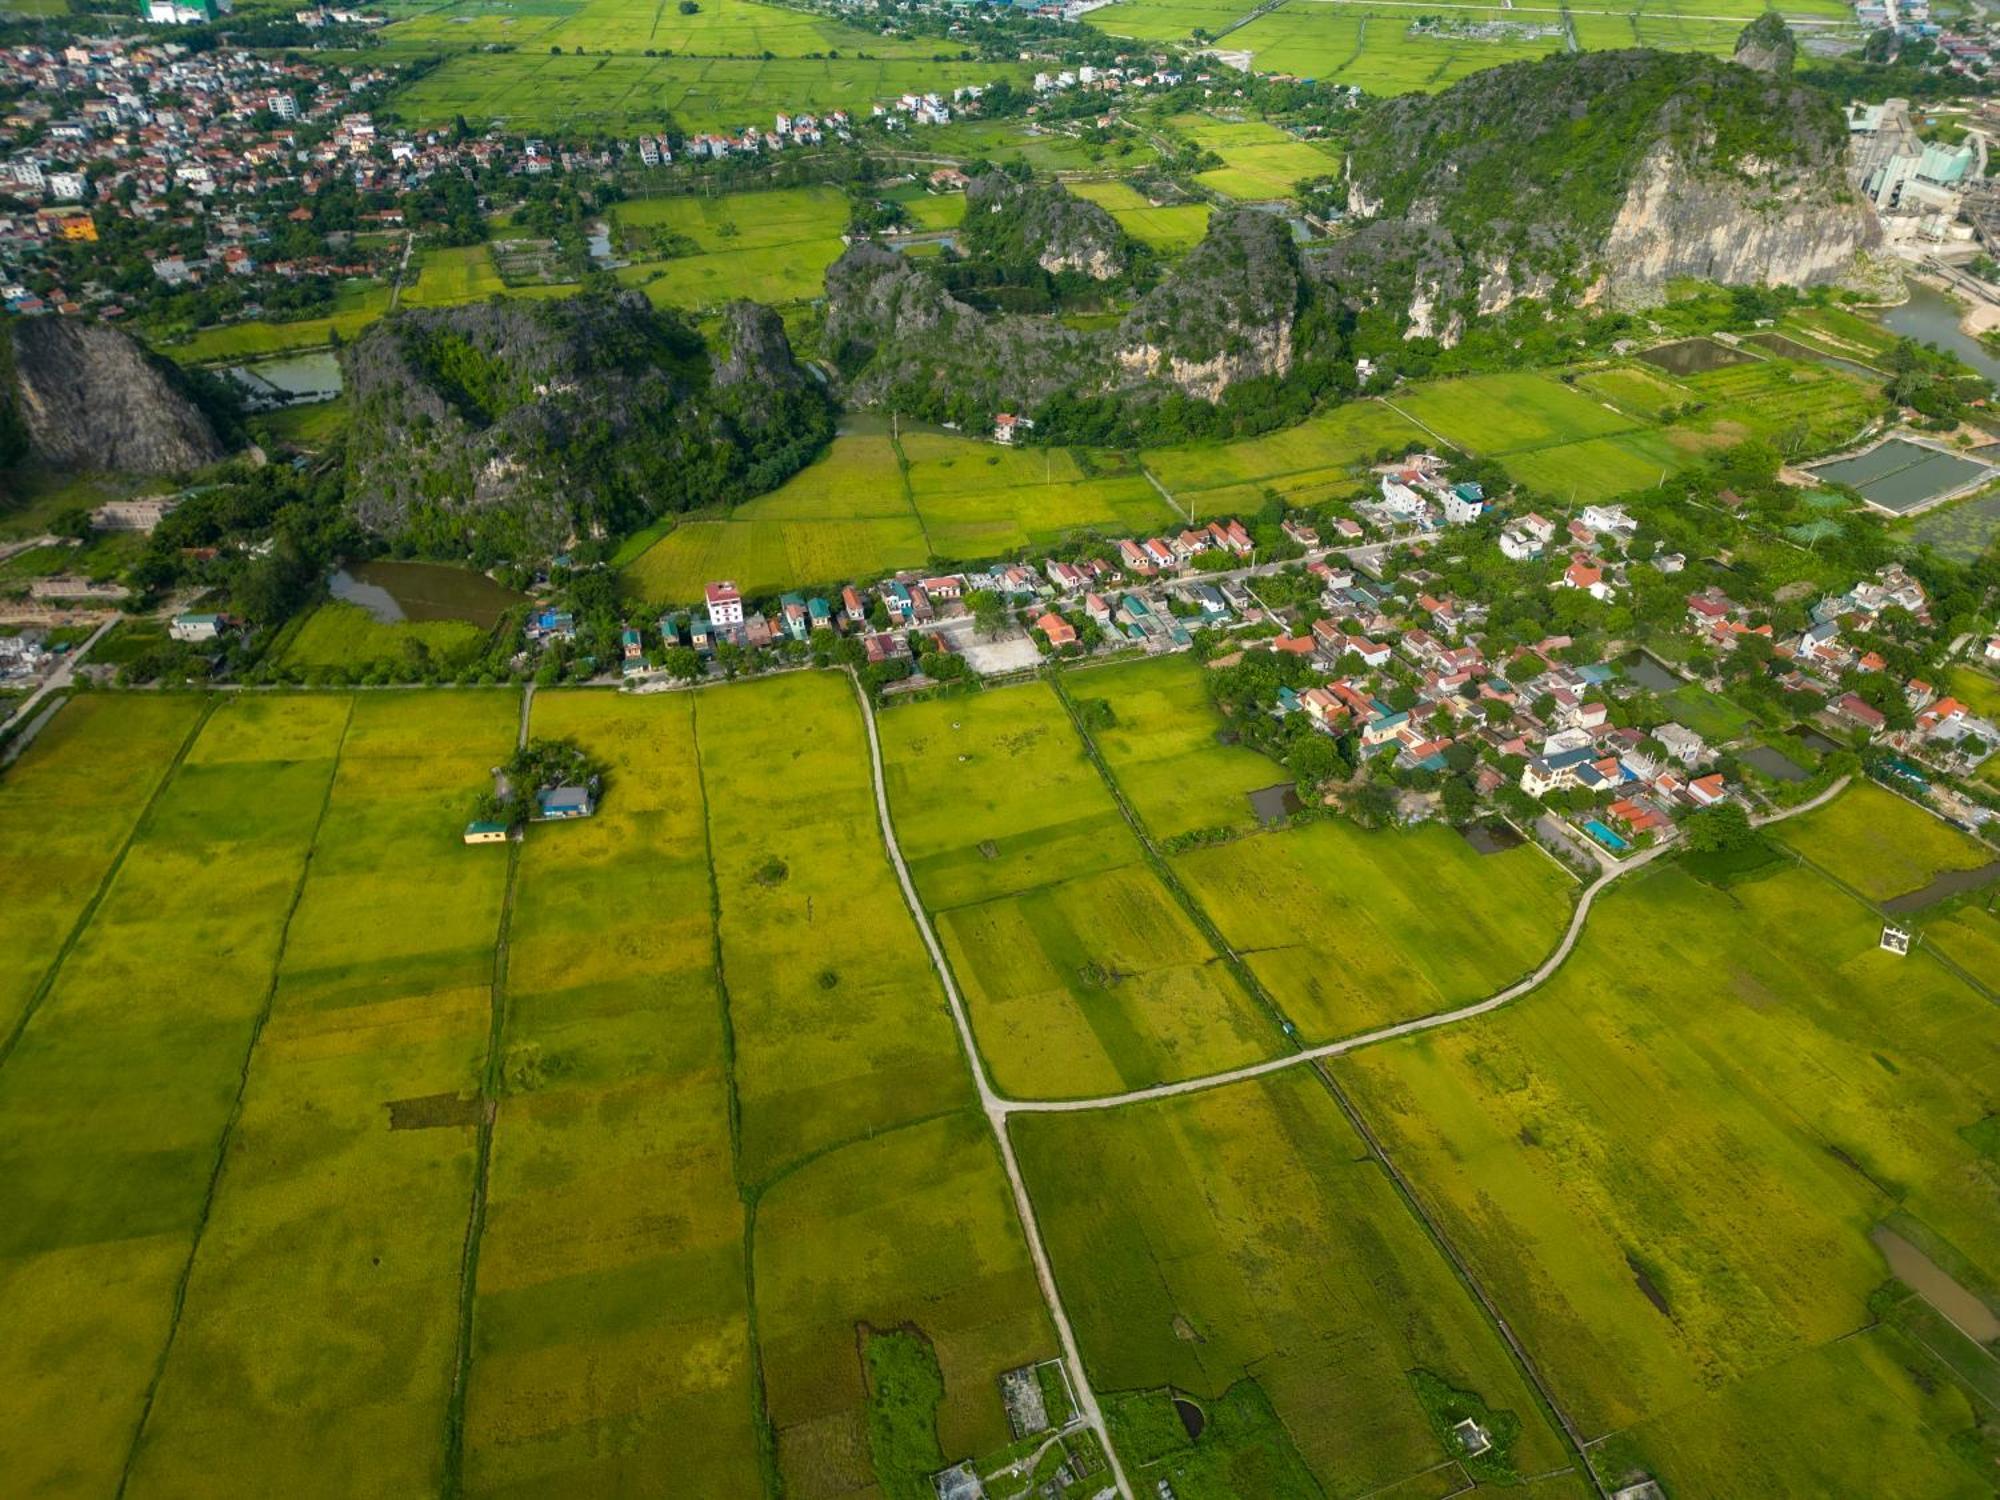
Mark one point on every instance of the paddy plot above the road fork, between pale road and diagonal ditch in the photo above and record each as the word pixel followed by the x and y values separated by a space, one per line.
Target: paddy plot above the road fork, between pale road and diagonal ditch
pixel 1081 969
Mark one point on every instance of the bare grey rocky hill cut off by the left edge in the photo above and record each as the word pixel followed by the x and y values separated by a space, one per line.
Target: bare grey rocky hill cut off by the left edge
pixel 91 399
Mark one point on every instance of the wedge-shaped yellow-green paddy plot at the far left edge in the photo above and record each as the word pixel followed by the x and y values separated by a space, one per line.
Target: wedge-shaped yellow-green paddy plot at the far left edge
pixel 99 761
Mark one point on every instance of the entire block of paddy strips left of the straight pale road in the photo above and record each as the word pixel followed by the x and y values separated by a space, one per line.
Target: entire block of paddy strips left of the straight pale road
pixel 337 1147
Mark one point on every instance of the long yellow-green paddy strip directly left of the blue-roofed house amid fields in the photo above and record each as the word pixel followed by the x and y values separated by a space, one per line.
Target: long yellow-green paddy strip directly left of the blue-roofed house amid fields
pixel 321 1321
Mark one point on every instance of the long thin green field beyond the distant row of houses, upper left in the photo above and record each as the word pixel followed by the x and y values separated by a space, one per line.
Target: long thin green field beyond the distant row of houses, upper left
pixel 617 95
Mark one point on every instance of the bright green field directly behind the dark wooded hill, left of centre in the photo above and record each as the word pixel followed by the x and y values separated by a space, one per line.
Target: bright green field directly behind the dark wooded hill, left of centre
pixel 773 247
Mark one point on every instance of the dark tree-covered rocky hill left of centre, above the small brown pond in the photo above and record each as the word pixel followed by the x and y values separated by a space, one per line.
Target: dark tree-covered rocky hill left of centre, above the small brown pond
pixel 511 429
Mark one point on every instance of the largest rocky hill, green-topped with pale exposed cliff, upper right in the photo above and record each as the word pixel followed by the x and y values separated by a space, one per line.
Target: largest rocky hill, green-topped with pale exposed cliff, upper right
pixel 1599 175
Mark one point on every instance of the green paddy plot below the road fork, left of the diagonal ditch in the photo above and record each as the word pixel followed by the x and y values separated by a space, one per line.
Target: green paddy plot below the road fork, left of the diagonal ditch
pixel 1241 1249
